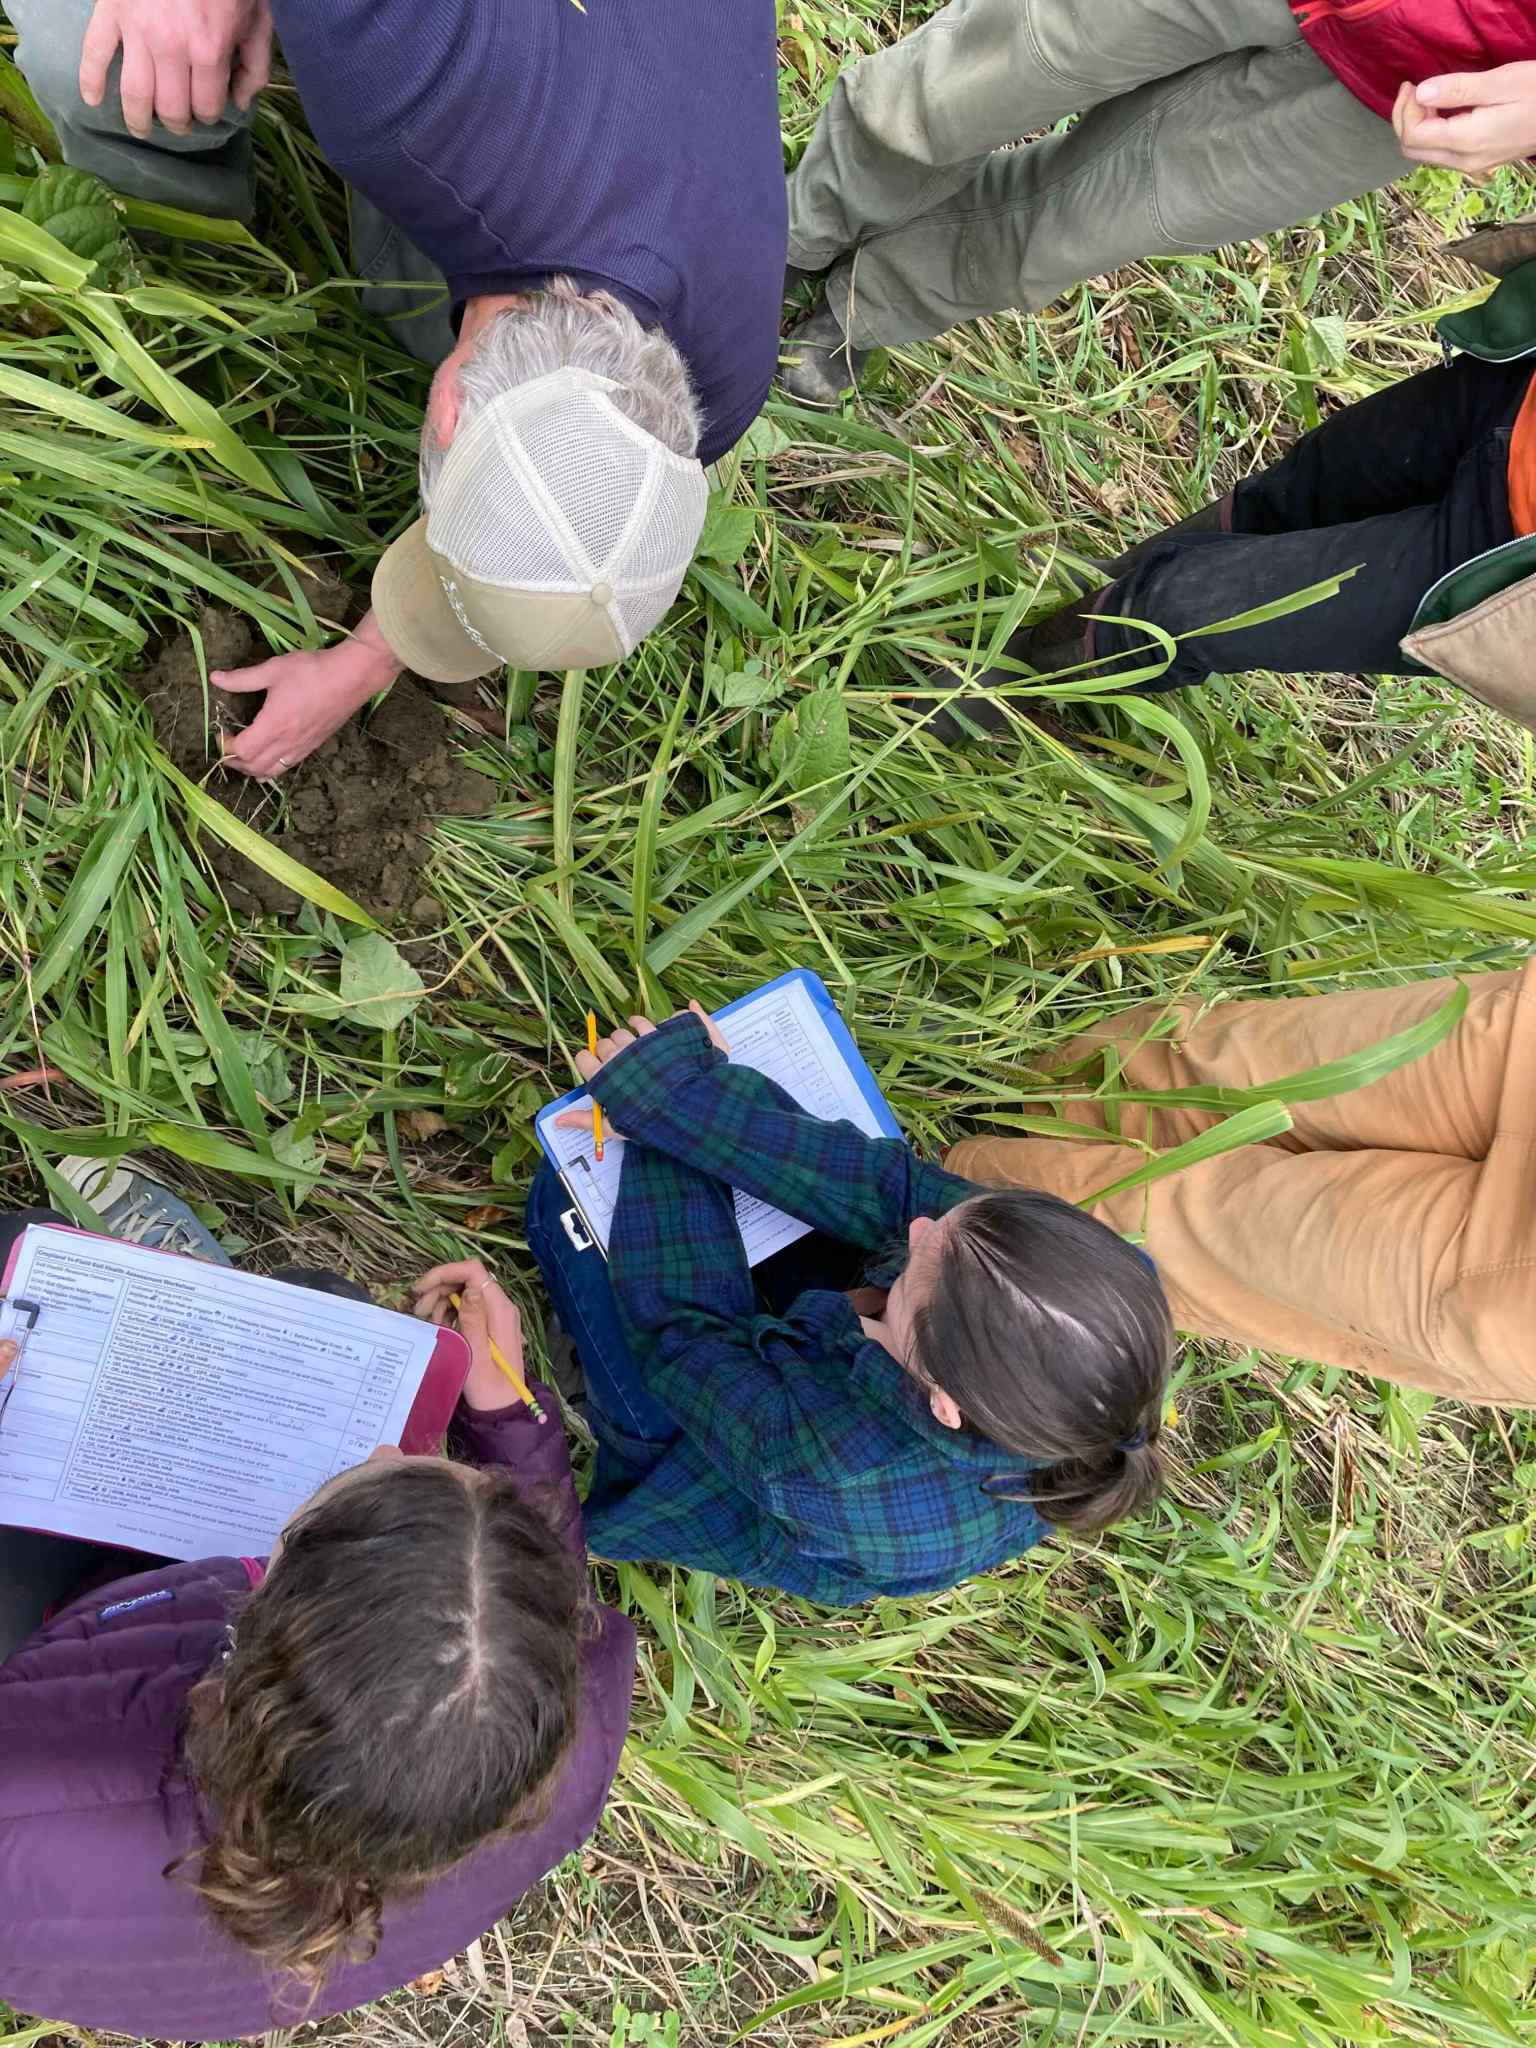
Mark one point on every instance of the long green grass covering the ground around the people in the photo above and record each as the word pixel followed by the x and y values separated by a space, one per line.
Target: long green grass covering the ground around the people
pixel 1252 1773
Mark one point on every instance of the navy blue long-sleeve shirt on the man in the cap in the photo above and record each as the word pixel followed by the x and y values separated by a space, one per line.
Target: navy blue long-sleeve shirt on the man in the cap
pixel 630 144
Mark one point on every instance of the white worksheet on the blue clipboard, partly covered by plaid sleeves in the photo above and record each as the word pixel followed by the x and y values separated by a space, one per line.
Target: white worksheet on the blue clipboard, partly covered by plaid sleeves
pixel 783 1035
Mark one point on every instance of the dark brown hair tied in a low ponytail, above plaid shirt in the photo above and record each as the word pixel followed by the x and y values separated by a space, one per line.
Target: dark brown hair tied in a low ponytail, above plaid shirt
pixel 1052 1336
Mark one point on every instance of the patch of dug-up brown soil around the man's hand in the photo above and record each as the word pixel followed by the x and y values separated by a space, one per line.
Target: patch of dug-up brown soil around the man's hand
pixel 355 812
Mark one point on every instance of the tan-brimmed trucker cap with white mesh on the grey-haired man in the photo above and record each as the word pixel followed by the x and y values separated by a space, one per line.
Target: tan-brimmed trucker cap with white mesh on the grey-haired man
pixel 556 536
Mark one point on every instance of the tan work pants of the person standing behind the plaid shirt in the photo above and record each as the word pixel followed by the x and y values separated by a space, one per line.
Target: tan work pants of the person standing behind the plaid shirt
pixel 1394 1232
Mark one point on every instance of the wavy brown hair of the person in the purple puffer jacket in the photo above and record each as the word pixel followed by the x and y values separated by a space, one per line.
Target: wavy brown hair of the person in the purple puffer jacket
pixel 400 1689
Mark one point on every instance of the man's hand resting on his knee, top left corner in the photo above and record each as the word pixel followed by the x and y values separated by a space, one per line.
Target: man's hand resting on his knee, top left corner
pixel 183 60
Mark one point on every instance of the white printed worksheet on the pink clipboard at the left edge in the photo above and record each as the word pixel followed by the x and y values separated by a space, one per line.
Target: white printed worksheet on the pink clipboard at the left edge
pixel 183 1408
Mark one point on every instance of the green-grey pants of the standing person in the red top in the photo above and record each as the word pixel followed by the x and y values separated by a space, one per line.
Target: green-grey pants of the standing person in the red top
pixel 1203 122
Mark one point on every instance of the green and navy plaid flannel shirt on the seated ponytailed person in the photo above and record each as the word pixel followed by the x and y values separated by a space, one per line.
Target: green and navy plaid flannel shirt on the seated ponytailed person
pixel 808 1459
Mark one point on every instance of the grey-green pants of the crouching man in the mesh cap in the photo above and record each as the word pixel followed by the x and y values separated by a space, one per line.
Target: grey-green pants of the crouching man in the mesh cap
pixel 210 173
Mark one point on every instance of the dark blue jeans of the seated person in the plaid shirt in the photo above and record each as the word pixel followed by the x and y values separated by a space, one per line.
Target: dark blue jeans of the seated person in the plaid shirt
pixel 630 1424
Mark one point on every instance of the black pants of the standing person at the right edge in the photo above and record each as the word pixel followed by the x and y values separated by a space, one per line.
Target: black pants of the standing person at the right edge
pixel 1340 501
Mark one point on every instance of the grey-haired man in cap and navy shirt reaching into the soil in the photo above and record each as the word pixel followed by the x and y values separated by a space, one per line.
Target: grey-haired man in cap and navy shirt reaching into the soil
pixel 579 214
